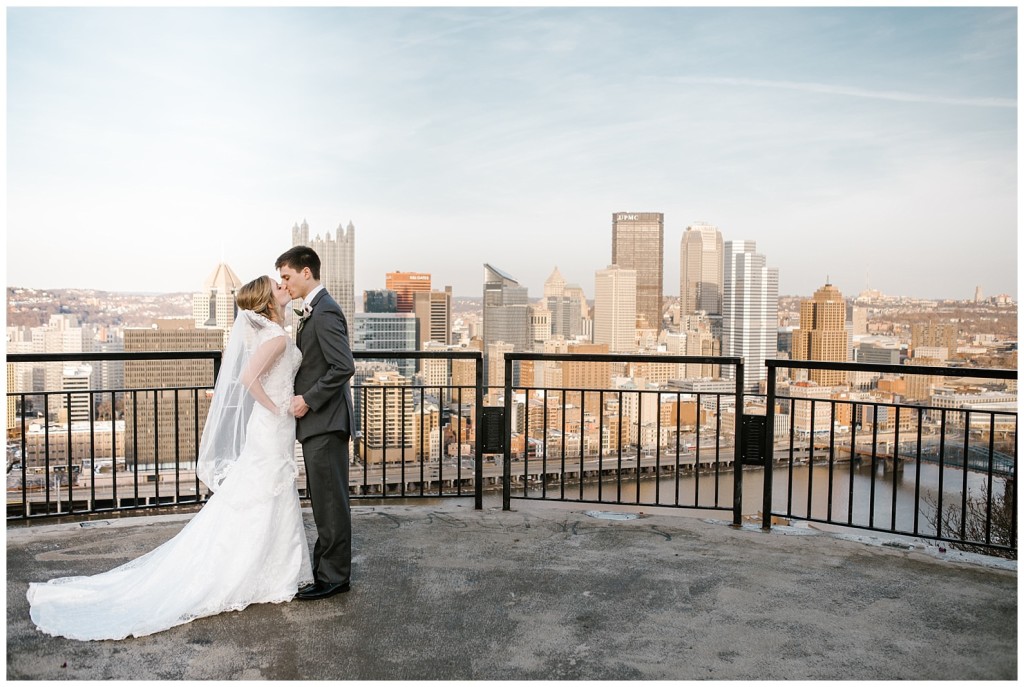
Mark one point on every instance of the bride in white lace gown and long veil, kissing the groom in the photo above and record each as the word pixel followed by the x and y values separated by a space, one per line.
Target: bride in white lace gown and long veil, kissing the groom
pixel 247 545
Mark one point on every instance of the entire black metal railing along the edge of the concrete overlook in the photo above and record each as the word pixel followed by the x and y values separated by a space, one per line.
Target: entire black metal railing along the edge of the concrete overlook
pixel 947 474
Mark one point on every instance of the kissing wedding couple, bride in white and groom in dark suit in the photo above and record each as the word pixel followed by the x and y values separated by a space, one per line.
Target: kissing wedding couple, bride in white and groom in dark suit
pixel 247 544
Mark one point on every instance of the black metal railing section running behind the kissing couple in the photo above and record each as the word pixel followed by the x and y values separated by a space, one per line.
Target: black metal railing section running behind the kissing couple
pixel 152 449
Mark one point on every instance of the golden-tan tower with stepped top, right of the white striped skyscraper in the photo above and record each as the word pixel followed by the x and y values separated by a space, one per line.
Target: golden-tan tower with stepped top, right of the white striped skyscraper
pixel 823 334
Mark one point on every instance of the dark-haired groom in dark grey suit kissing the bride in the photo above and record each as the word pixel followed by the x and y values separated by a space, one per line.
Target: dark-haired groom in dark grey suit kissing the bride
pixel 323 408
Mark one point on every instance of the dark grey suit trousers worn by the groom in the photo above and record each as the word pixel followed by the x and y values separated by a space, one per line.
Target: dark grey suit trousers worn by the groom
pixel 326 457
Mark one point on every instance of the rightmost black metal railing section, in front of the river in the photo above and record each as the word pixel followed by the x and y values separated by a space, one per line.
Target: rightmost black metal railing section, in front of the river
pixel 968 496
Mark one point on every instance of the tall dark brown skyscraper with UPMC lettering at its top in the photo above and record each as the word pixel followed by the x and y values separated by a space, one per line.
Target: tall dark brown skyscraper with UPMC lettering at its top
pixel 638 244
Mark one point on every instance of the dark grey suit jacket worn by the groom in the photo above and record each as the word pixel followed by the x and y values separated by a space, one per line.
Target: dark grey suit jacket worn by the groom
pixel 326 371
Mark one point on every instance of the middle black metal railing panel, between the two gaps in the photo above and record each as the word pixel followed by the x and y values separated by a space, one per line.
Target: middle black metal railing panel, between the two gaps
pixel 627 451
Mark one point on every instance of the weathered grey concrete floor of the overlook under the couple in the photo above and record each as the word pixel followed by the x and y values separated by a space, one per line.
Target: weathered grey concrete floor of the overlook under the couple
pixel 556 592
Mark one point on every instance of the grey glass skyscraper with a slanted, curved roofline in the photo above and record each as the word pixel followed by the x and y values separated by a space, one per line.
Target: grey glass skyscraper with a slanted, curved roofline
pixel 506 315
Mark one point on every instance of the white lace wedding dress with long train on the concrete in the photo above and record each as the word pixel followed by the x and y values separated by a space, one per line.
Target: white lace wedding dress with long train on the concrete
pixel 247 545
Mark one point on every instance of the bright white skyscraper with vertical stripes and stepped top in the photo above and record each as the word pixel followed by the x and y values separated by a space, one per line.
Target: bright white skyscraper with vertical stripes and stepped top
pixel 750 312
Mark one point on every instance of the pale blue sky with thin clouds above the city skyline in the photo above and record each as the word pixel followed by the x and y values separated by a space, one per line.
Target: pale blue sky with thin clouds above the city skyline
pixel 874 148
